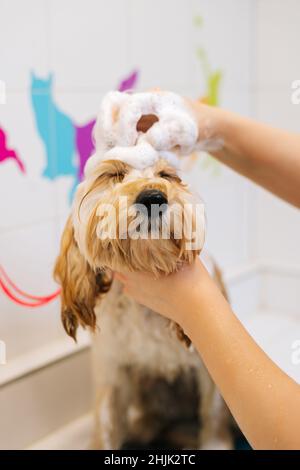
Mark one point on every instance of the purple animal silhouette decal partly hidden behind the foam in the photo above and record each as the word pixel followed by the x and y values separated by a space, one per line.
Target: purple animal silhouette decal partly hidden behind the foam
pixel 83 134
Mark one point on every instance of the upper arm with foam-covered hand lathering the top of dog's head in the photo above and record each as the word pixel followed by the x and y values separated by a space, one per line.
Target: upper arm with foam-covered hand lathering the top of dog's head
pixel 268 156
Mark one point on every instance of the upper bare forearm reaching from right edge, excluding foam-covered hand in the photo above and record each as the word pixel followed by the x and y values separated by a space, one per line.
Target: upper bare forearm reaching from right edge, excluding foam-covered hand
pixel 268 156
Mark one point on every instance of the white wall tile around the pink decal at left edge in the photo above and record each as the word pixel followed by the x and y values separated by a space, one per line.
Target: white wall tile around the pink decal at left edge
pixel 27 197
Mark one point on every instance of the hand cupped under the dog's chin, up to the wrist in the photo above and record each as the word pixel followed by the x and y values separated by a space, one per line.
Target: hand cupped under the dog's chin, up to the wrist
pixel 173 296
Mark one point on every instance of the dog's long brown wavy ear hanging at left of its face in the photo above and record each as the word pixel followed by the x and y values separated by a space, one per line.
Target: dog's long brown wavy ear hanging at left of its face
pixel 80 285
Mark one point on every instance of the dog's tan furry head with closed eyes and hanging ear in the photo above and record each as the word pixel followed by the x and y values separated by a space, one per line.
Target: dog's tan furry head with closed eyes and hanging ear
pixel 124 218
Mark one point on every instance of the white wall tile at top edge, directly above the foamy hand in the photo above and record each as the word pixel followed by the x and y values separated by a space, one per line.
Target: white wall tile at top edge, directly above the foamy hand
pixel 160 43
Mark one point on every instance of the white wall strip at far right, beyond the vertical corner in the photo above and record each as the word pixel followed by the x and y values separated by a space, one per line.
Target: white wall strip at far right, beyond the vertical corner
pixel 278 64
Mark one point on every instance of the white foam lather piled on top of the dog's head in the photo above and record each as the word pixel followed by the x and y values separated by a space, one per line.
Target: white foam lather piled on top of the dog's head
pixel 116 134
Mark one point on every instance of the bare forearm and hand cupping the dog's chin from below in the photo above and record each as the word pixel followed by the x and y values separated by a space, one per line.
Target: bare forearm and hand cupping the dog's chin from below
pixel 262 398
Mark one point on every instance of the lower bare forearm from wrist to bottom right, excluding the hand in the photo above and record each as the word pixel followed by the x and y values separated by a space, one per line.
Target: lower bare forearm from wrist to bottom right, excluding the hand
pixel 264 401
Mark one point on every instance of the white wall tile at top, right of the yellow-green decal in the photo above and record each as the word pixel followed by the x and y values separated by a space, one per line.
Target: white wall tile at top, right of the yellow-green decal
pixel 227 36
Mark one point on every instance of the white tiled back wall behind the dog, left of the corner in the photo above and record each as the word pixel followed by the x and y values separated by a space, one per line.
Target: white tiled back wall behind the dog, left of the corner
pixel 89 45
